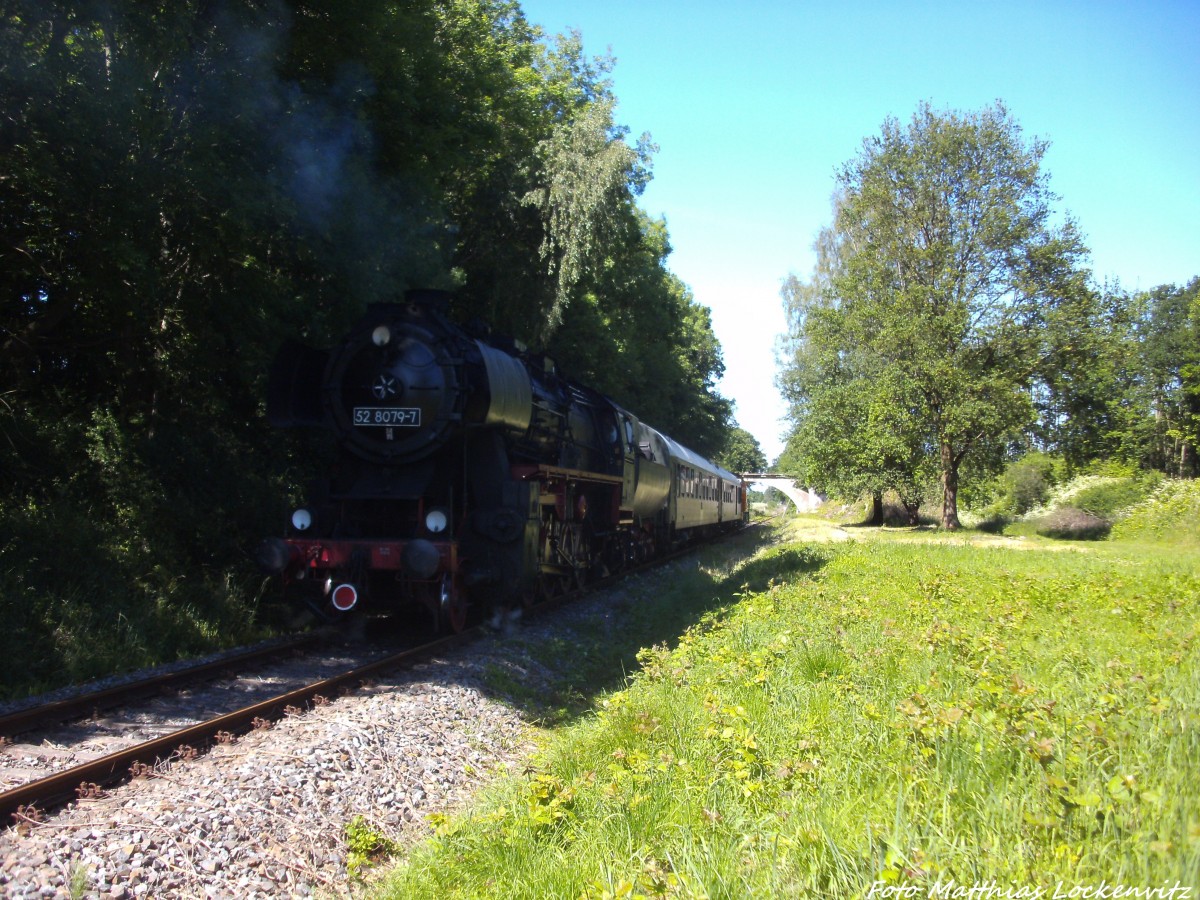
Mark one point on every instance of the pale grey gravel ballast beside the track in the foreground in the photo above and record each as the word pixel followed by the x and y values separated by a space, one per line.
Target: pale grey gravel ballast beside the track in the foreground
pixel 266 817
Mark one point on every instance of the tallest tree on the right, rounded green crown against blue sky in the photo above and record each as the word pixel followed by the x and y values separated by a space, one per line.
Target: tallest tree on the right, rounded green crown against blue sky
pixel 951 266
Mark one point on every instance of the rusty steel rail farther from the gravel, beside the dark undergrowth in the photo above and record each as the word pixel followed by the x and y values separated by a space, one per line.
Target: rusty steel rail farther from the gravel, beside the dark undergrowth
pixel 31 718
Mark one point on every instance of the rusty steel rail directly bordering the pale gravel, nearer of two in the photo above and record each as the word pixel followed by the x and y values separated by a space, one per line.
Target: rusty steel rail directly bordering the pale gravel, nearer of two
pixel 57 790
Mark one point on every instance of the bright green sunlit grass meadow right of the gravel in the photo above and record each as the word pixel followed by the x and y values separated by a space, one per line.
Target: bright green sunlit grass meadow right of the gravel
pixel 872 713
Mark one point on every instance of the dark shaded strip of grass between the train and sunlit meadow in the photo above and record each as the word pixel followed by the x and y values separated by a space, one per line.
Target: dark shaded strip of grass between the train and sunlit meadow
pixel 555 669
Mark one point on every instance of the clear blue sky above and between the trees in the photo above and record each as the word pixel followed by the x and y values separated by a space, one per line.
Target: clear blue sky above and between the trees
pixel 754 106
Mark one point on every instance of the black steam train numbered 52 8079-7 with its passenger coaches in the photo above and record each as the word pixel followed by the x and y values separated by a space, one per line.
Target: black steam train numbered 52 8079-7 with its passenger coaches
pixel 471 475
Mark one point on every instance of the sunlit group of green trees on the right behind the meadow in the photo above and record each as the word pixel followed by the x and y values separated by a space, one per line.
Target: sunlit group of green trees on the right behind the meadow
pixel 951 333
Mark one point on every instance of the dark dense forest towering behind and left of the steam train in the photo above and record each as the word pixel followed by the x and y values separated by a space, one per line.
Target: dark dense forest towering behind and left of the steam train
pixel 185 185
